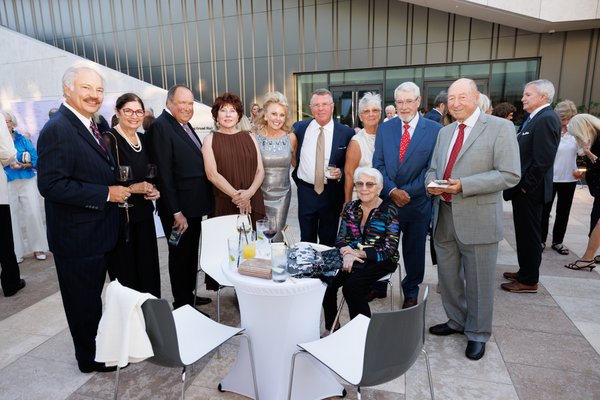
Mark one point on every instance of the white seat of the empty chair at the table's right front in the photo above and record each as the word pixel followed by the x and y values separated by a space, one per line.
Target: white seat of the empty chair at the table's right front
pixel 343 351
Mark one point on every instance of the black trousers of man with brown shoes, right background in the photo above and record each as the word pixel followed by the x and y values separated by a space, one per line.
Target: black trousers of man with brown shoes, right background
pixel 527 217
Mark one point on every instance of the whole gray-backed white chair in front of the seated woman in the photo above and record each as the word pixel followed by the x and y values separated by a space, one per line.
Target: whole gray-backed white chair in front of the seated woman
pixel 369 352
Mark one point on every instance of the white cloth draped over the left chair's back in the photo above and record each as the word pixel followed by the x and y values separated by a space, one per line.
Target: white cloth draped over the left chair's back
pixel 121 337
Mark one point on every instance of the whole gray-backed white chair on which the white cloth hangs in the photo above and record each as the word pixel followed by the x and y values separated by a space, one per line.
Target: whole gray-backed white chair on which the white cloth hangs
pixel 180 338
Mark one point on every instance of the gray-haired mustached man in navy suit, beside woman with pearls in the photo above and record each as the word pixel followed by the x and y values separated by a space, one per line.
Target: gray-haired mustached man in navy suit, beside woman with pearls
pixel 77 177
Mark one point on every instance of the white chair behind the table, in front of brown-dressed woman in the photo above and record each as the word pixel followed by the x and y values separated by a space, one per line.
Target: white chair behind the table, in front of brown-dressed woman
pixel 214 251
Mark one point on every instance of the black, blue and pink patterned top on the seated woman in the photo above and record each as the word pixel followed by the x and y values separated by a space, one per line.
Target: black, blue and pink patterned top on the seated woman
pixel 381 231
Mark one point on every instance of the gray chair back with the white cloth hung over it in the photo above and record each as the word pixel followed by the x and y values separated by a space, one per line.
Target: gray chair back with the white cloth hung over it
pixel 160 327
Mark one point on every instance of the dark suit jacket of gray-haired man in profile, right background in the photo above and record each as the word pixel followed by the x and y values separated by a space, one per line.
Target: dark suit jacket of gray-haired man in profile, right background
pixel 538 143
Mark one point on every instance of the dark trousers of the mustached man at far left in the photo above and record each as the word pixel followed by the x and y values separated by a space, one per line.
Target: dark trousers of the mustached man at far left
pixel 81 280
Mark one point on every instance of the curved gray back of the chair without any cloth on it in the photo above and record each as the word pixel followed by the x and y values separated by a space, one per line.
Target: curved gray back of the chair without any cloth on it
pixel 394 342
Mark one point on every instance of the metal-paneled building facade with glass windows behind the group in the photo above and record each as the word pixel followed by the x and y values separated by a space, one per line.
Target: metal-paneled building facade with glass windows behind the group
pixel 251 47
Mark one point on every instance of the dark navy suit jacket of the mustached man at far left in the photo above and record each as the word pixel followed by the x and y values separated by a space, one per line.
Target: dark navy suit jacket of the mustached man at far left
pixel 73 176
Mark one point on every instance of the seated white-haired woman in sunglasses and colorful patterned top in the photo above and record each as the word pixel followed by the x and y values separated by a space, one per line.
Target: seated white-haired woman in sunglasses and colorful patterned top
pixel 368 241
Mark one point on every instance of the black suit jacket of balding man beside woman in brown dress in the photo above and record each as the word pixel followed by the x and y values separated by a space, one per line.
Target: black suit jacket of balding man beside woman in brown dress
pixel 182 180
